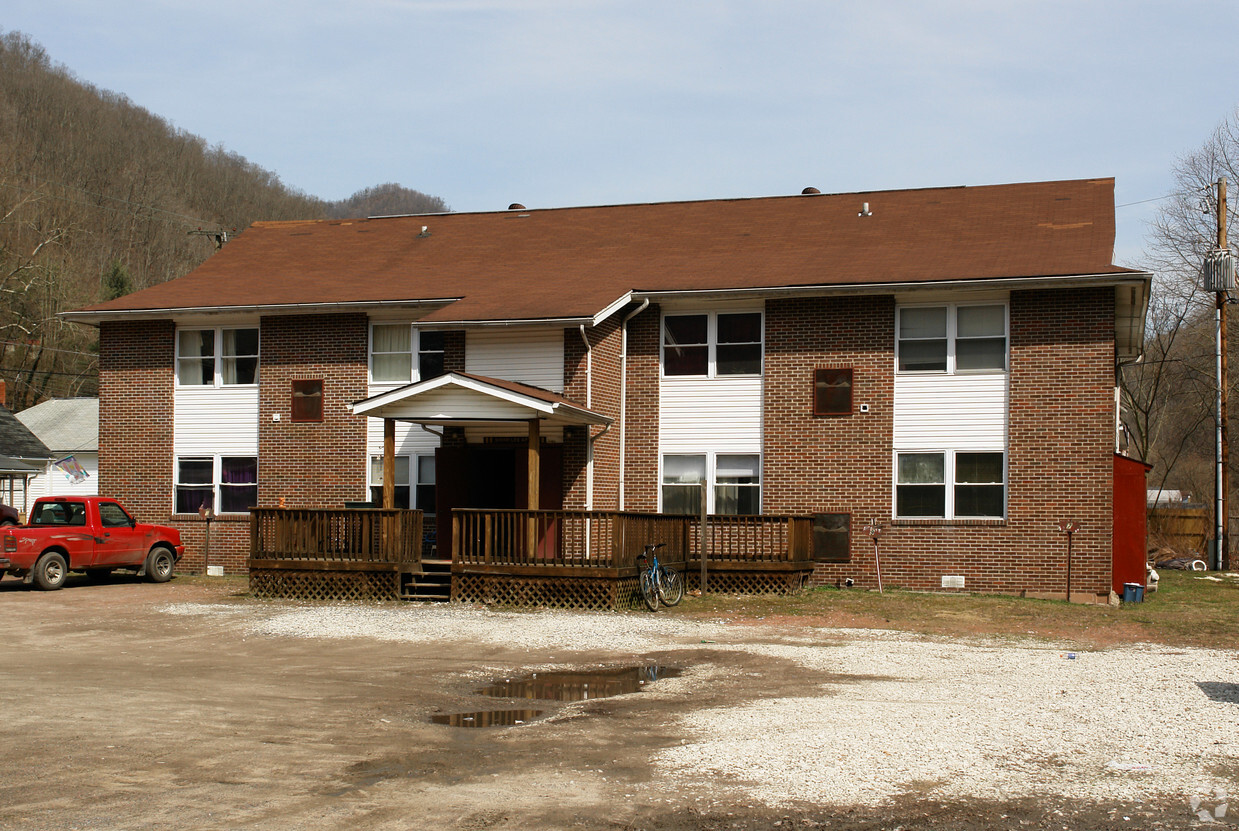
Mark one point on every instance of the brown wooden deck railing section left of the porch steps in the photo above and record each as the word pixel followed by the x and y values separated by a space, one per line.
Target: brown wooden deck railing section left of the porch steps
pixel 330 536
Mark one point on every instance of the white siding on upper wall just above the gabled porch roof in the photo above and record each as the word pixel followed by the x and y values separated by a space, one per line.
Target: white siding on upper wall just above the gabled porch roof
pixel 531 356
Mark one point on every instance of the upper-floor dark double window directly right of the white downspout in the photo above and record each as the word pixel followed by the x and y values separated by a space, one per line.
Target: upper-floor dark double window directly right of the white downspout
pixel 713 345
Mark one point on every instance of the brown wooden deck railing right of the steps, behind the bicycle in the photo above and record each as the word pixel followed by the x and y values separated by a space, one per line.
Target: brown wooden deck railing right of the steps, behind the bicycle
pixel 614 539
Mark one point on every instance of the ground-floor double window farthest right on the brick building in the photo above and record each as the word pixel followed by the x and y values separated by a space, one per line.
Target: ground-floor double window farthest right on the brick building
pixel 951 485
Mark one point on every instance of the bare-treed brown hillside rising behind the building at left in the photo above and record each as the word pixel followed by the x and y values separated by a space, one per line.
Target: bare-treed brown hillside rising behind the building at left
pixel 100 198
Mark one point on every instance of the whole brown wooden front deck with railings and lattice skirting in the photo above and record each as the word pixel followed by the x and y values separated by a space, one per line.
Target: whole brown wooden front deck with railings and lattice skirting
pixel 567 559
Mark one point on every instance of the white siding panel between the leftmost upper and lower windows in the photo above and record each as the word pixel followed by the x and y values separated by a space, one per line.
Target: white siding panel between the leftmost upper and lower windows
pixel 215 422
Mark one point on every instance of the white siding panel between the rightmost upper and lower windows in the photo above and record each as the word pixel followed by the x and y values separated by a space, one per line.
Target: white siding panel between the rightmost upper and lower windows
pixel 958 412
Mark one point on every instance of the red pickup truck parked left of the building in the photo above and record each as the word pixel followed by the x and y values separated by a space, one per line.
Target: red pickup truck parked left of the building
pixel 91 534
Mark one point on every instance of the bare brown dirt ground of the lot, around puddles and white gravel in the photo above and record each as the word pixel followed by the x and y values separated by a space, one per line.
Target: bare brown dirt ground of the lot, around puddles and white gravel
pixel 118 715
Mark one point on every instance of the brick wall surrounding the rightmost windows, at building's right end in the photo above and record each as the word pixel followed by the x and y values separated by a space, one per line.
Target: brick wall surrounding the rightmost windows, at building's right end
pixel 1060 434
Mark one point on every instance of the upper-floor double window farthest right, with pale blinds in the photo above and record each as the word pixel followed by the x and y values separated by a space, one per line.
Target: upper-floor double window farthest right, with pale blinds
pixel 953 339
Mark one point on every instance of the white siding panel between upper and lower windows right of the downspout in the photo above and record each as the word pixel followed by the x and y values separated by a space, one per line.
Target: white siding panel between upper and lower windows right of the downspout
pixel 722 415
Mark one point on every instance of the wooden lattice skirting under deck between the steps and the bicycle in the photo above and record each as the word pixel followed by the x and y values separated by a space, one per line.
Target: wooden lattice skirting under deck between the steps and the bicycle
pixel 558 593
